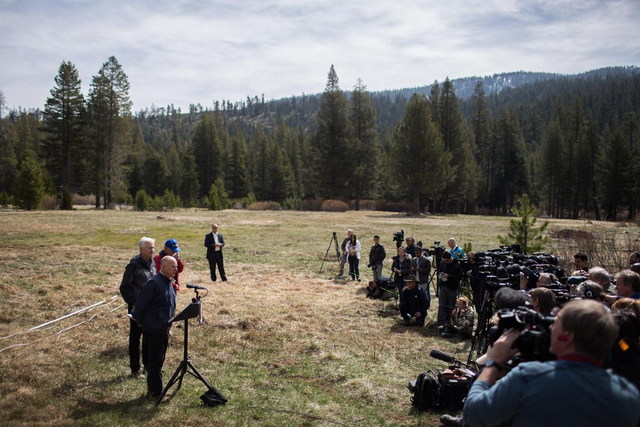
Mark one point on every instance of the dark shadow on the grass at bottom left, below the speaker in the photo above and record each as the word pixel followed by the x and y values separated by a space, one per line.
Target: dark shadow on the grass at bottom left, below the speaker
pixel 138 409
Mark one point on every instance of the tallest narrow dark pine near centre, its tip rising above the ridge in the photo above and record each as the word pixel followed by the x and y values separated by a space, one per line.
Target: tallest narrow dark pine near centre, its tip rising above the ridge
pixel 332 141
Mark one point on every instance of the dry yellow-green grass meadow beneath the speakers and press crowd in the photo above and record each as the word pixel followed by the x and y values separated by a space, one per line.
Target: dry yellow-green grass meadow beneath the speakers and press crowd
pixel 285 344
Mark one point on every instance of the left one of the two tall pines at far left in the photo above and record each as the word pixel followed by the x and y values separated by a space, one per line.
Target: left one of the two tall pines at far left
pixel 63 122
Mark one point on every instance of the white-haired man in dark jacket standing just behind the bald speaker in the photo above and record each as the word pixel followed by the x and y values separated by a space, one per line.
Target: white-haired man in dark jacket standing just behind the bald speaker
pixel 140 269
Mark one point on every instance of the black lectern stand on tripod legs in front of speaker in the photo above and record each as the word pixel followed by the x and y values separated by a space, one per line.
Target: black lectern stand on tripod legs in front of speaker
pixel 213 396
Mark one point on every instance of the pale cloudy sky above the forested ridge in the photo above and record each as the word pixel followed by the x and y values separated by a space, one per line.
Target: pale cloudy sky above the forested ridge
pixel 185 52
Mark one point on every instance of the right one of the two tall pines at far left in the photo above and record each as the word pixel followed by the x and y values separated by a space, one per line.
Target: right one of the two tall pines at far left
pixel 109 110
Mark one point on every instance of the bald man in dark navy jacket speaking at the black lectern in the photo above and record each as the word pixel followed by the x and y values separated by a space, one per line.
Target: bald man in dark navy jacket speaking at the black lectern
pixel 155 306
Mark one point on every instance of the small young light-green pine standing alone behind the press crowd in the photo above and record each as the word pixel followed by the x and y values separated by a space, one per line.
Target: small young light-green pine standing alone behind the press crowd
pixel 523 231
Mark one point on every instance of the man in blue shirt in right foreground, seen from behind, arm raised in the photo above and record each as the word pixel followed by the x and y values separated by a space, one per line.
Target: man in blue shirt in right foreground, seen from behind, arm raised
pixel 573 390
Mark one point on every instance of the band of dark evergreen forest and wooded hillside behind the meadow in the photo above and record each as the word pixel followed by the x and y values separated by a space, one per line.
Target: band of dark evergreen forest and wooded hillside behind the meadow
pixel 571 144
